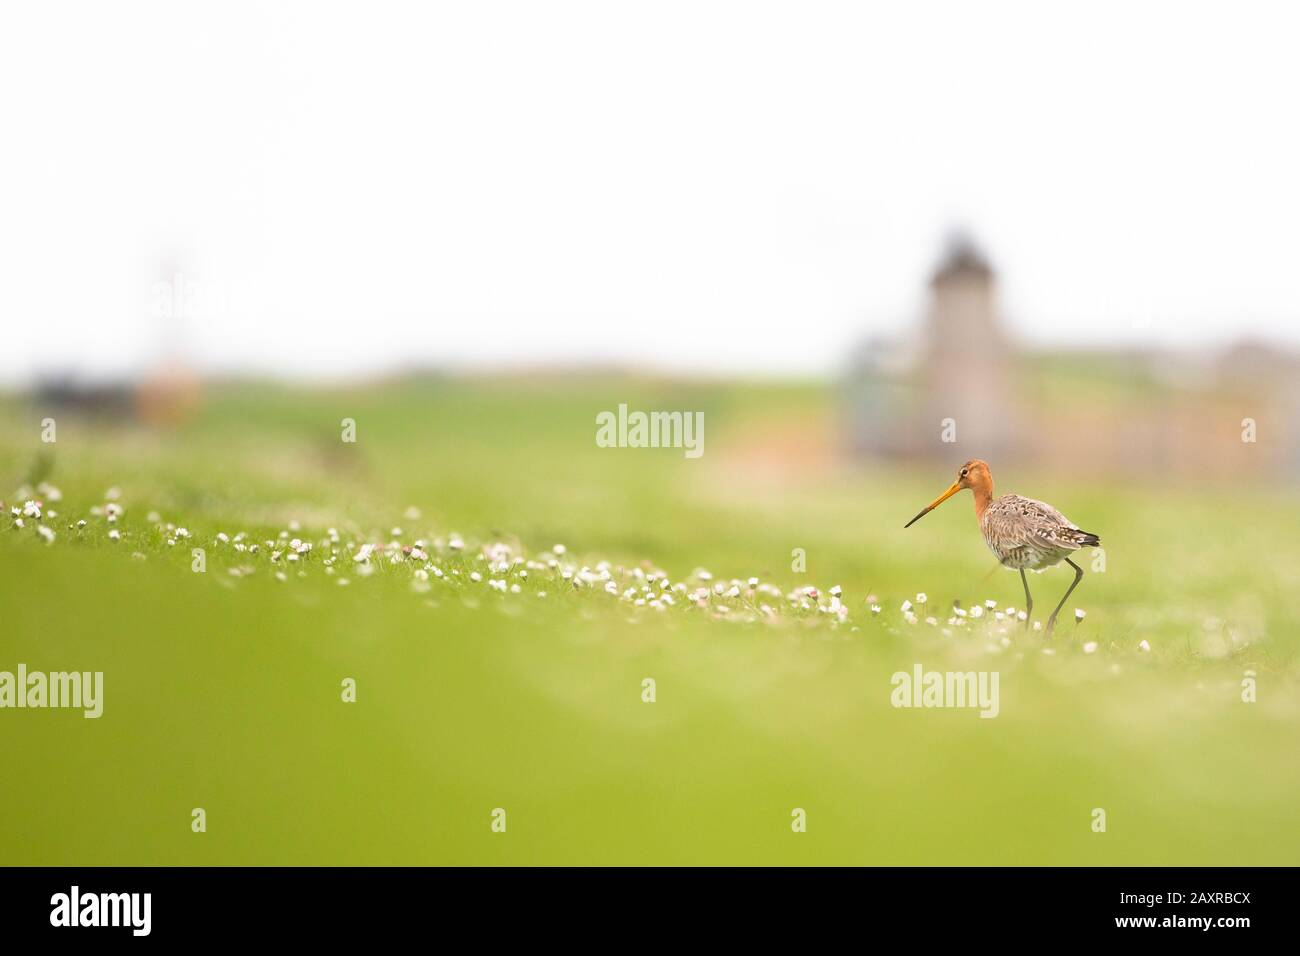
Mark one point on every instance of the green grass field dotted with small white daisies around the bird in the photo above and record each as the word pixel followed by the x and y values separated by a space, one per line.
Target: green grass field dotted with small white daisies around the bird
pixel 223 691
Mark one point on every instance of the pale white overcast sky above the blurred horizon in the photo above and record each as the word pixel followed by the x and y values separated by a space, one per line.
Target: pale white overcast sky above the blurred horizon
pixel 712 187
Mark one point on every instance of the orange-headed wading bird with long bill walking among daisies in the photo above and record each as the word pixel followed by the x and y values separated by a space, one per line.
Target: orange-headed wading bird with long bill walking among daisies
pixel 1022 534
